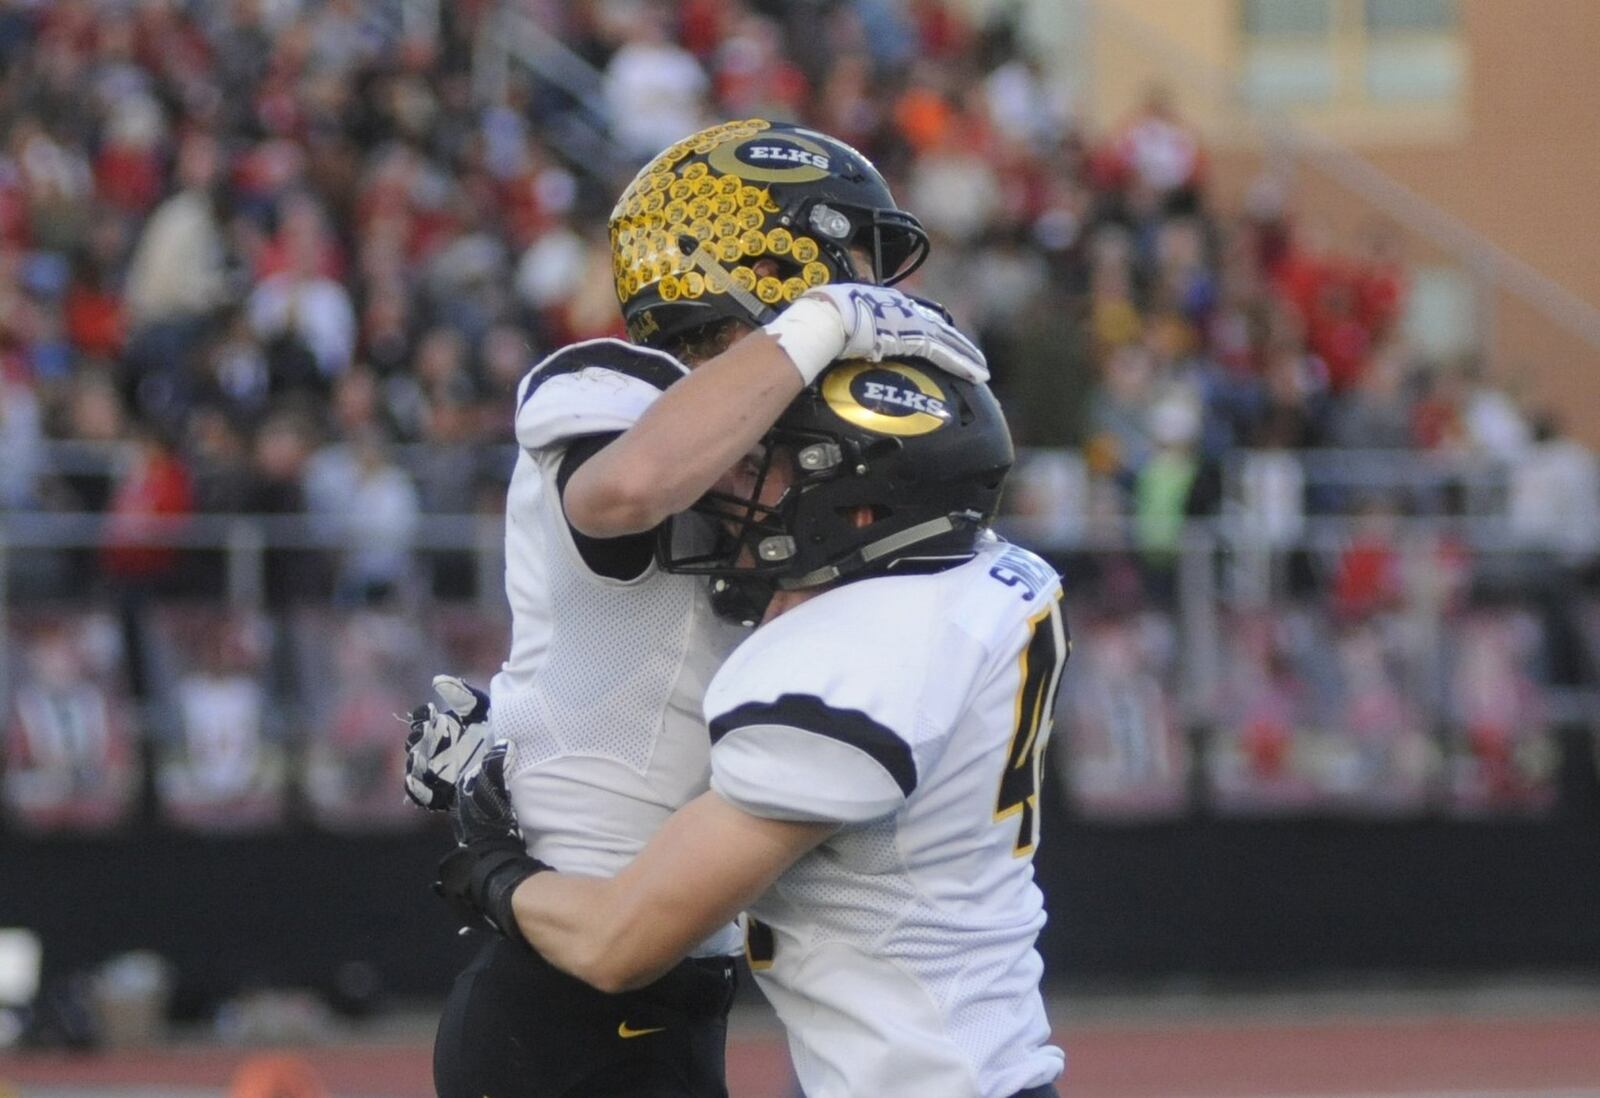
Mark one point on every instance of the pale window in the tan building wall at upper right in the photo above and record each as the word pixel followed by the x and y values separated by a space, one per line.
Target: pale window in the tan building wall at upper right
pixel 1326 54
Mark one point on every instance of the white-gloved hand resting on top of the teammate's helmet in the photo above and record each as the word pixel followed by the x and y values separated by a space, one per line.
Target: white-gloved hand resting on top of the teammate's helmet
pixel 882 323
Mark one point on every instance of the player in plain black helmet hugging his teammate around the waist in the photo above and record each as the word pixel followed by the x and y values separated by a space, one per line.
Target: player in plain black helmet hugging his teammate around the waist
pixel 876 758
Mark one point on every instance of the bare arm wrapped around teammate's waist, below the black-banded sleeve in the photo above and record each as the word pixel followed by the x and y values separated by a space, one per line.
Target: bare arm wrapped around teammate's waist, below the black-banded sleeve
pixel 706 865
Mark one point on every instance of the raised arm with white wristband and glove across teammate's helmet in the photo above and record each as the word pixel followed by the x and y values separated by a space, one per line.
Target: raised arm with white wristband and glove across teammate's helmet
pixel 710 420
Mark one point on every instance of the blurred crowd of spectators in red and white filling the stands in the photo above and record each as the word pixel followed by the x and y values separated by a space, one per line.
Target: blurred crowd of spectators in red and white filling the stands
pixel 292 257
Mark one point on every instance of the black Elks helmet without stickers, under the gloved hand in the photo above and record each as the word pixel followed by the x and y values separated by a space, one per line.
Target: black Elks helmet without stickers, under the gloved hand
pixel 892 467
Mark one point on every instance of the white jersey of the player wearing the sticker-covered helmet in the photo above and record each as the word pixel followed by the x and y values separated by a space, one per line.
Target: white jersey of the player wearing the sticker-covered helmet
pixel 604 687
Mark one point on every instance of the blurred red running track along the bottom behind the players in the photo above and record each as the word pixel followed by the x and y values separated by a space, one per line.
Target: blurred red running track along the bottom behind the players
pixel 1558 1057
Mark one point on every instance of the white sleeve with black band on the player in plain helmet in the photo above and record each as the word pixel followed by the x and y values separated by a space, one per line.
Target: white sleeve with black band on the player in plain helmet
pixel 799 758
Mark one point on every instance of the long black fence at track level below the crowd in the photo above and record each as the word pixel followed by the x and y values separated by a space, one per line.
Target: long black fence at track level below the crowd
pixel 1217 899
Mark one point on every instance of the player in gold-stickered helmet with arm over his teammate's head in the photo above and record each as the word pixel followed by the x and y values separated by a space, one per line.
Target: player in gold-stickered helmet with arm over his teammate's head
pixel 745 265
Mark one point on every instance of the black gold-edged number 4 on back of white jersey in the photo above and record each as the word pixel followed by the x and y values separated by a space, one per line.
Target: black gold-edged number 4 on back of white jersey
pixel 1042 660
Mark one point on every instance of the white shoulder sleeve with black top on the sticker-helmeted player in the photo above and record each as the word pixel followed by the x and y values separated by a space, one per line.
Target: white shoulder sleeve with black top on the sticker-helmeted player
pixel 591 388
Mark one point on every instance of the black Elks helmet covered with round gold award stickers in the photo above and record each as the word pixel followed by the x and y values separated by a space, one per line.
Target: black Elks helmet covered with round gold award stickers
pixel 690 226
